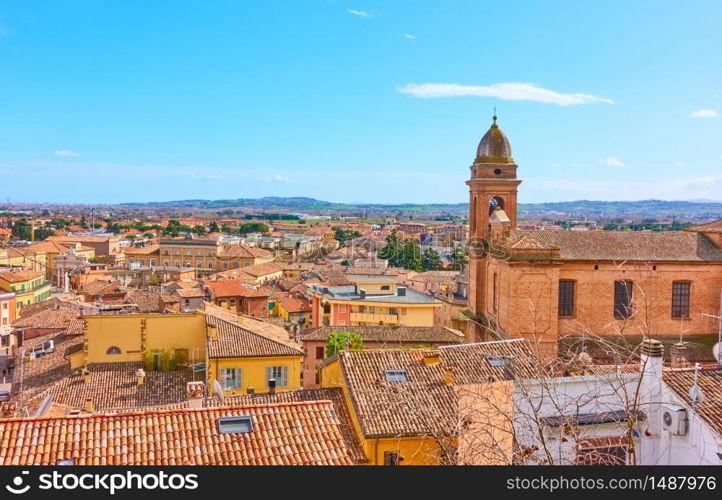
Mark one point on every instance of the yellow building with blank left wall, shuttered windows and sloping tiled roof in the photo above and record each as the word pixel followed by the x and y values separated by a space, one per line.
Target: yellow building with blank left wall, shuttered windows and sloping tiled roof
pixel 240 360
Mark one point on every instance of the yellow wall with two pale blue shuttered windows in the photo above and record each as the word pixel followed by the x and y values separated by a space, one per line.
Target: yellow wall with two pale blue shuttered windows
pixel 254 372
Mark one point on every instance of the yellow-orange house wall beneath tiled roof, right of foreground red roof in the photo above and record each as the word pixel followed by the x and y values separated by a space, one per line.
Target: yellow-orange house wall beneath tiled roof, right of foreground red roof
pixel 416 450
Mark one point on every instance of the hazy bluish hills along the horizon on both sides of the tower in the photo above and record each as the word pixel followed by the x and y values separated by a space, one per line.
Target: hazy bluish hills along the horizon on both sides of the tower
pixel 699 209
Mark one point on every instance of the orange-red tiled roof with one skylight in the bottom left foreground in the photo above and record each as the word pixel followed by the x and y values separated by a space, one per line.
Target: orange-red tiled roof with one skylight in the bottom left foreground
pixel 304 433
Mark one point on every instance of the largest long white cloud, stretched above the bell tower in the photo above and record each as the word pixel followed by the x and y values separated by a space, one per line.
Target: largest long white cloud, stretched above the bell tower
pixel 509 91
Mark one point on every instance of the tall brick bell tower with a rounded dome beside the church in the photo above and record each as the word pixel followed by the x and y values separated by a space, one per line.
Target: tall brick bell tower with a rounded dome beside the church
pixel 492 188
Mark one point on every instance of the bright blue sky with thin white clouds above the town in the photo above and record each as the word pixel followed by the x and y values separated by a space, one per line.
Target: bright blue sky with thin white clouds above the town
pixel 357 101
